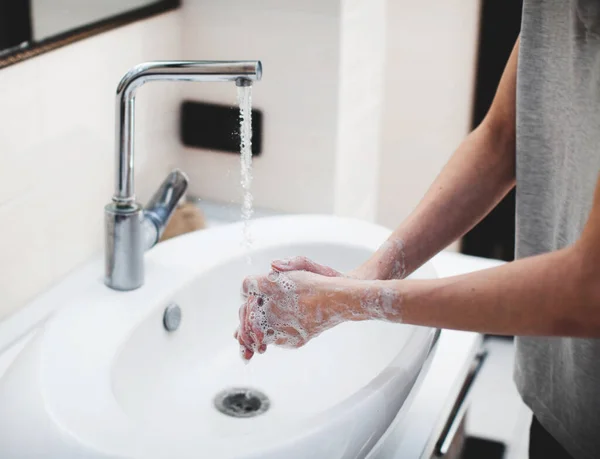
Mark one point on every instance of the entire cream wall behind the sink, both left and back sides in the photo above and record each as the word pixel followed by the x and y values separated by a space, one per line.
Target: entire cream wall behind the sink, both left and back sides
pixel 364 101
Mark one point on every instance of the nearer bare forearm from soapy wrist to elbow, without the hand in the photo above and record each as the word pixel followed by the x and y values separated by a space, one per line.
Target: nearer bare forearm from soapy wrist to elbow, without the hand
pixel 548 295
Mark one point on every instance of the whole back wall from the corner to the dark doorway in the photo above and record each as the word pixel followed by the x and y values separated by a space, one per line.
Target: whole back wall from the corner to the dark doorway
pixel 364 100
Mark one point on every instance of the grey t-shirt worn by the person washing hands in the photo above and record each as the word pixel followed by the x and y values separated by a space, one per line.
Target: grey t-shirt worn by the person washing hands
pixel 558 161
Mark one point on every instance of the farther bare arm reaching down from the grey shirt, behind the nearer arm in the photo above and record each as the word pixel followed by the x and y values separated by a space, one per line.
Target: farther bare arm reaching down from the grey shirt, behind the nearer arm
pixel 478 175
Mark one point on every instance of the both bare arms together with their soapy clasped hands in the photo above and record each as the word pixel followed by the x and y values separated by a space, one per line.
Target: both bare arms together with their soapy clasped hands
pixel 555 294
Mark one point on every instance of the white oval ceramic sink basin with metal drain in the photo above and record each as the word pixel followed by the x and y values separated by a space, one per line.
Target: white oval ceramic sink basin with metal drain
pixel 104 379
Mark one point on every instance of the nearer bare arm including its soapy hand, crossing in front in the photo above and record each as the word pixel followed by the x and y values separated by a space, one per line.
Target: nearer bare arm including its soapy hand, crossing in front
pixel 555 294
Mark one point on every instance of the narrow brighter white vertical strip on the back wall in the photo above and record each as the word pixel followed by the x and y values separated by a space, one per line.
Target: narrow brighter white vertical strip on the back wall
pixel 360 108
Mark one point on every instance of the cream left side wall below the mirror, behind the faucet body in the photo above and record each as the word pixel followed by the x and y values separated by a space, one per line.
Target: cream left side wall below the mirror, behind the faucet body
pixel 57 150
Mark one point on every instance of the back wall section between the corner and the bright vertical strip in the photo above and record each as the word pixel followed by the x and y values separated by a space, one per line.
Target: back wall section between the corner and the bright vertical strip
pixel 298 43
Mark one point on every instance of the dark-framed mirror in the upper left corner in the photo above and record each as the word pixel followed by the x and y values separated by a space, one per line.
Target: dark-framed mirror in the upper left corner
pixel 31 27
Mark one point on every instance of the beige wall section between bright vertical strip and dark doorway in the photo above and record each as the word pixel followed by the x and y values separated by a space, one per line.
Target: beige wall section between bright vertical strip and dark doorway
pixel 429 82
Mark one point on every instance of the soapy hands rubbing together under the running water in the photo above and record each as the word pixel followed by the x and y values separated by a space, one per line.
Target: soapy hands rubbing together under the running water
pixel 290 308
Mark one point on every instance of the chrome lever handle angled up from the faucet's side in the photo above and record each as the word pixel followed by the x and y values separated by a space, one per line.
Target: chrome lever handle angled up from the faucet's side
pixel 162 204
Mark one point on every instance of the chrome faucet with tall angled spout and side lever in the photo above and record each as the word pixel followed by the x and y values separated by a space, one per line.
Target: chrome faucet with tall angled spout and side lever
pixel 131 229
